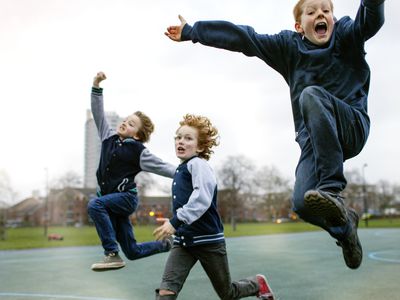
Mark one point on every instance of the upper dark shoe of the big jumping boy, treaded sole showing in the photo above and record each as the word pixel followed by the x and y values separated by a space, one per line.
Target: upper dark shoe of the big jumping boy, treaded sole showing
pixel 328 205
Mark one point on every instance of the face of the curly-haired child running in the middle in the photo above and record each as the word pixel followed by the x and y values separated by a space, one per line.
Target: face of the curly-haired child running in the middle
pixel 186 142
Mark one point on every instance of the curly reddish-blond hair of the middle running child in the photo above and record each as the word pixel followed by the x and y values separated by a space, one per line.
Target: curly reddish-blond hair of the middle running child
pixel 208 134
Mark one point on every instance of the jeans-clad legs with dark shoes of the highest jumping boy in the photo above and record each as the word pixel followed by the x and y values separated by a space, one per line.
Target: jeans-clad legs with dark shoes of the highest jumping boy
pixel 332 132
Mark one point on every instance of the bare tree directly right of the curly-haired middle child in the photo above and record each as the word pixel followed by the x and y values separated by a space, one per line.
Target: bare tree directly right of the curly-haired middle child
pixel 235 176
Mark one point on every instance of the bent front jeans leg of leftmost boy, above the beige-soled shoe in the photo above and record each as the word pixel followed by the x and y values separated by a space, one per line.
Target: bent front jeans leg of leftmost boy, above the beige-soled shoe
pixel 103 209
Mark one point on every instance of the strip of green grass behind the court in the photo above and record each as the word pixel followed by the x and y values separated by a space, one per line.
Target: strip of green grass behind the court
pixel 27 238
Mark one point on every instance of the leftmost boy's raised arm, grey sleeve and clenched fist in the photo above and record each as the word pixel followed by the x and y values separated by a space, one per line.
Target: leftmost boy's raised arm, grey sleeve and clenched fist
pixel 97 106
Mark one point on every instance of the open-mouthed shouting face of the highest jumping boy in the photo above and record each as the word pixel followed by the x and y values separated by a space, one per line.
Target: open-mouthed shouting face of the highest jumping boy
pixel 316 21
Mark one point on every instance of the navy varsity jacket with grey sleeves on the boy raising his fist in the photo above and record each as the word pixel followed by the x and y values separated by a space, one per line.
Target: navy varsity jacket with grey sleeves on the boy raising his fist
pixel 121 160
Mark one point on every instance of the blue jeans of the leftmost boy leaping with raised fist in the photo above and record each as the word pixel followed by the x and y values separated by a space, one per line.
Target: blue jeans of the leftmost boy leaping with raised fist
pixel 110 214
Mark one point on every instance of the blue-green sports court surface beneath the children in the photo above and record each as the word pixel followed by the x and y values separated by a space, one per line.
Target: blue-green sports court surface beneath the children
pixel 302 266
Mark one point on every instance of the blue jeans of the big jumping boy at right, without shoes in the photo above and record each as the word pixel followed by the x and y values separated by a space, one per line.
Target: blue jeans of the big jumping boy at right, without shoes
pixel 332 131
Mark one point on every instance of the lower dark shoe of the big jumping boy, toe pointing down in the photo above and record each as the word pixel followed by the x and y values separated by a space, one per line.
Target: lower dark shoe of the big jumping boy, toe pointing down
pixel 351 246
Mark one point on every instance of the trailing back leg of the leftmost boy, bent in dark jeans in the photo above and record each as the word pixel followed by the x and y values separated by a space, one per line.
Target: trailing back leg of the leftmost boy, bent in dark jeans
pixel 132 249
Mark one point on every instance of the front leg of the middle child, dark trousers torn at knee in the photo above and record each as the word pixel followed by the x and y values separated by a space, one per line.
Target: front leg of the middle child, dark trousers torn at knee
pixel 180 262
